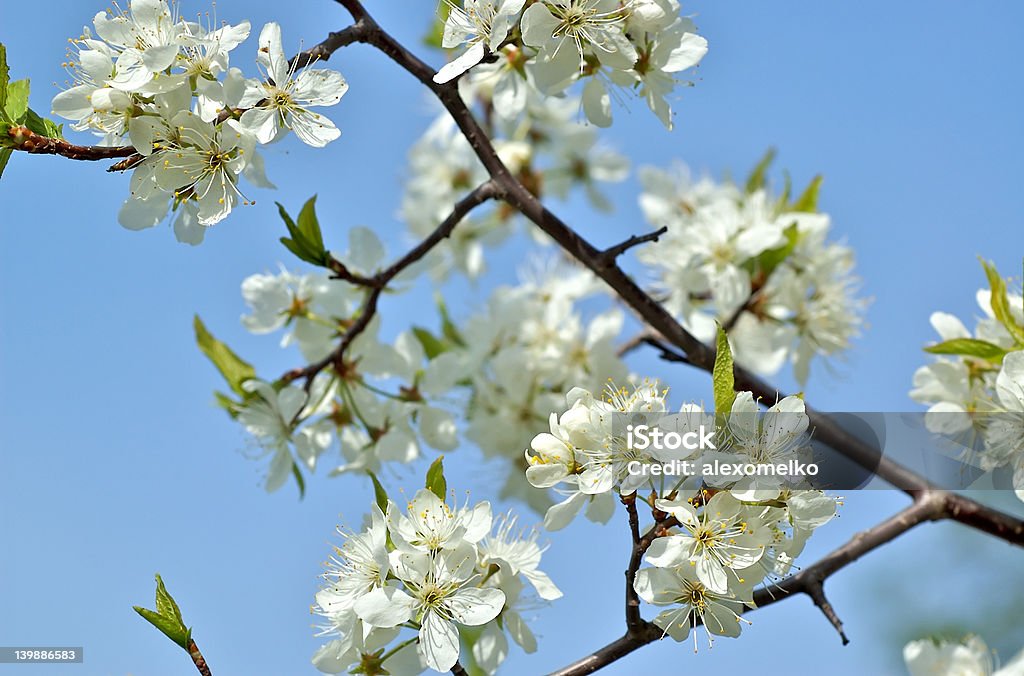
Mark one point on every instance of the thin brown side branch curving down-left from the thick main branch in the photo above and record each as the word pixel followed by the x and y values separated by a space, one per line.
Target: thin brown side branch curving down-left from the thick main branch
pixel 377 283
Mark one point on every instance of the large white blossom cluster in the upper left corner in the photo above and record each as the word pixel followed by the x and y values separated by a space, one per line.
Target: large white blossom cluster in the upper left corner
pixel 165 84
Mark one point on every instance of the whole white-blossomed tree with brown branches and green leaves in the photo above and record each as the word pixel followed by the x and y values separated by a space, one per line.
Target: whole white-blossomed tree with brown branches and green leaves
pixel 742 282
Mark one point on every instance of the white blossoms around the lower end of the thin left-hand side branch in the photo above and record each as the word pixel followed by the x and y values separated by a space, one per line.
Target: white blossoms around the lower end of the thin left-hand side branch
pixel 346 406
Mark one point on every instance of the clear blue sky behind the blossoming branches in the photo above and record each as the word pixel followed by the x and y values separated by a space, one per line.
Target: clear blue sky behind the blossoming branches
pixel 116 466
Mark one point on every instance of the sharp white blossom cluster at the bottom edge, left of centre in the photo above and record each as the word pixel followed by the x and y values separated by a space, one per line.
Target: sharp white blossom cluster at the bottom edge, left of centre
pixel 431 570
